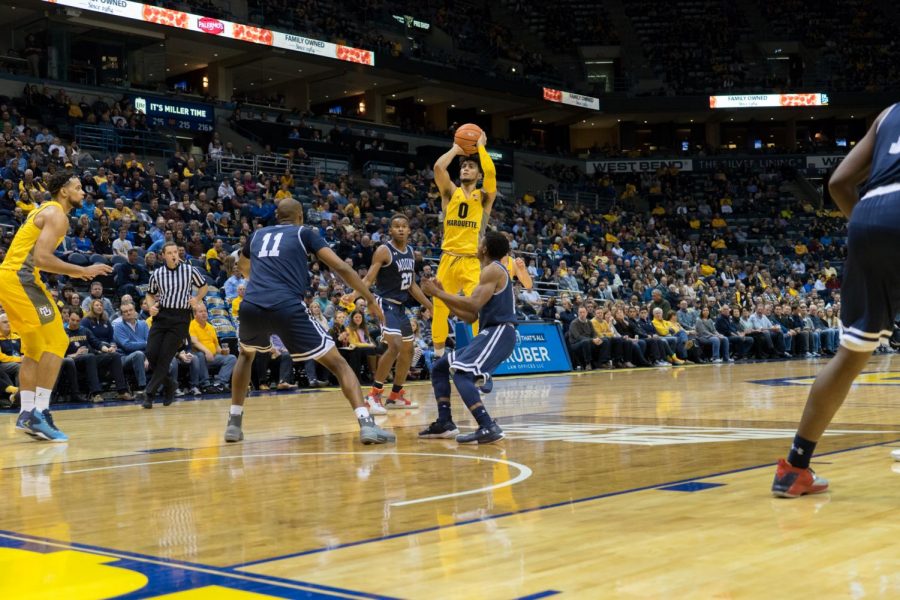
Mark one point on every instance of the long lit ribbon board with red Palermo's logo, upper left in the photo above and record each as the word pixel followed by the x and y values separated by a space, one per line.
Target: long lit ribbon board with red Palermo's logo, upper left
pixel 210 26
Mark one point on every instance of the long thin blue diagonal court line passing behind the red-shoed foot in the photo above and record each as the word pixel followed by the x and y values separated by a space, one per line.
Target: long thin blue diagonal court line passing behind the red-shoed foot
pixel 533 509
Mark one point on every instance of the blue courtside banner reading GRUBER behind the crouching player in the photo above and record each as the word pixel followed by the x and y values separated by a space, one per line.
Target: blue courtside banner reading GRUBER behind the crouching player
pixel 539 348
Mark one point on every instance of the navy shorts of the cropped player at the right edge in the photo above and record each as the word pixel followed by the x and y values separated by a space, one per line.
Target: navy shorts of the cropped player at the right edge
pixel 870 291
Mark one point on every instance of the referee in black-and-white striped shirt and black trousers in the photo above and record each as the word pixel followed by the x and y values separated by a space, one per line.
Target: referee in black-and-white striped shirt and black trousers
pixel 170 295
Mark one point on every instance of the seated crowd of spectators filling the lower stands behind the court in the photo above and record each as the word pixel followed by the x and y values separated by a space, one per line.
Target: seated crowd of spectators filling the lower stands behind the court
pixel 682 266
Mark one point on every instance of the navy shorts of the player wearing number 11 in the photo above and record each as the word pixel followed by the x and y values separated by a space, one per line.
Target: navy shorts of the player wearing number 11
pixel 304 338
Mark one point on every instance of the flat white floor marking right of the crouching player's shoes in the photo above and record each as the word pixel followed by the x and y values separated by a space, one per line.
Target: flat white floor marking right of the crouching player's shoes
pixel 650 435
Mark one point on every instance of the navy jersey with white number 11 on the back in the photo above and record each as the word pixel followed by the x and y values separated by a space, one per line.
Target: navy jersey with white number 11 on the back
pixel 279 263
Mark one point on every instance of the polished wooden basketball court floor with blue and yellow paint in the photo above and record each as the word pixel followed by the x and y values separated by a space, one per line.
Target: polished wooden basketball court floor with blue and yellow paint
pixel 617 484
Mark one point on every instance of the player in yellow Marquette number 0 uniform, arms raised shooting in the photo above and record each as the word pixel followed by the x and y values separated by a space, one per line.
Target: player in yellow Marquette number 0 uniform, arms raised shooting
pixel 465 210
